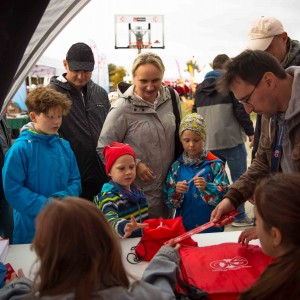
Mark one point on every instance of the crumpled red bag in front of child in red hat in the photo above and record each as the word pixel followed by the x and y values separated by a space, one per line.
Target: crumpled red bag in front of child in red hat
pixel 160 231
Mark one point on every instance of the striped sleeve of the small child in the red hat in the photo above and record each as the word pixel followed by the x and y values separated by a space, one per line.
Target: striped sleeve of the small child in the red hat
pixel 107 202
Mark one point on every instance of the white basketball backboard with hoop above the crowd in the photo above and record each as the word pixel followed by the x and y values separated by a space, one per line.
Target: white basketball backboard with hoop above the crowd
pixel 139 31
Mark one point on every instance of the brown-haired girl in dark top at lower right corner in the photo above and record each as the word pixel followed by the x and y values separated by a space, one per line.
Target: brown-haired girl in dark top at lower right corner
pixel 277 210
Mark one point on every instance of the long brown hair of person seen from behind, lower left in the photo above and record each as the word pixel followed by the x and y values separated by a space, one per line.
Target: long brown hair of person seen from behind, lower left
pixel 77 250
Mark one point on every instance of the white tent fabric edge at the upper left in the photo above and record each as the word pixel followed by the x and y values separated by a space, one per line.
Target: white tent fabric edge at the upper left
pixel 57 15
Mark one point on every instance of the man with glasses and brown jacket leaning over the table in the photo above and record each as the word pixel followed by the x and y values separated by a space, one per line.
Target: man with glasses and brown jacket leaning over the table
pixel 258 80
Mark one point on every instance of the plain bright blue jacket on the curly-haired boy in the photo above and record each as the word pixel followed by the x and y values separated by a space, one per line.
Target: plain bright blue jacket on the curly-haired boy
pixel 37 167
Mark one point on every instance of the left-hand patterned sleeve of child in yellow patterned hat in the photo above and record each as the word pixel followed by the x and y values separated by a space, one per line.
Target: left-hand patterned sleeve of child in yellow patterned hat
pixel 173 200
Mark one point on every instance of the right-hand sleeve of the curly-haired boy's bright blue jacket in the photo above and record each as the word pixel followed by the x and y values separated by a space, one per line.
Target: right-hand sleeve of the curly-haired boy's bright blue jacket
pixel 74 184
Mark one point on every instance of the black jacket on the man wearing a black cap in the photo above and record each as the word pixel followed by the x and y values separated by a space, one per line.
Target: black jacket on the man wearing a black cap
pixel 82 126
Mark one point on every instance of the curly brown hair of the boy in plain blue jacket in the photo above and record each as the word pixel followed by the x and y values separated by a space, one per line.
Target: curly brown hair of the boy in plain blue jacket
pixel 42 98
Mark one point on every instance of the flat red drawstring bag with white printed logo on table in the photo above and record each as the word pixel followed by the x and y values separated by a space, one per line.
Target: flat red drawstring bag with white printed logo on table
pixel 222 271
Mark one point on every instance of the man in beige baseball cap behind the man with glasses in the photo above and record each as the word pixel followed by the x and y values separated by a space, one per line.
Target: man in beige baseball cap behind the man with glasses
pixel 267 34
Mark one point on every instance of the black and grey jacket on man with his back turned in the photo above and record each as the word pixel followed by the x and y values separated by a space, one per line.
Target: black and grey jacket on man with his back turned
pixel 227 122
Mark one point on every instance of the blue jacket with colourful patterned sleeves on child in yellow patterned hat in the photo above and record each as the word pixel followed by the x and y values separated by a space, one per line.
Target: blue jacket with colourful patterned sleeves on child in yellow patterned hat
pixel 195 206
